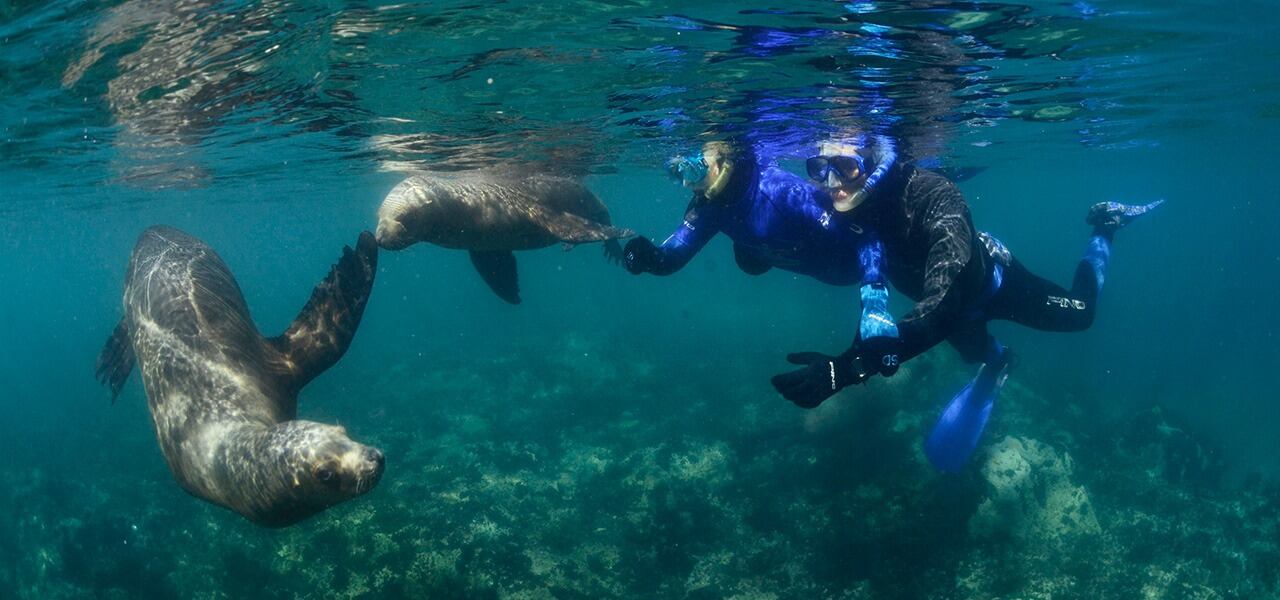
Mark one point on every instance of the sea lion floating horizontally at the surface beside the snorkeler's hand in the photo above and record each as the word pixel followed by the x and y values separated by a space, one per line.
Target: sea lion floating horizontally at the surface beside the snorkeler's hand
pixel 492 214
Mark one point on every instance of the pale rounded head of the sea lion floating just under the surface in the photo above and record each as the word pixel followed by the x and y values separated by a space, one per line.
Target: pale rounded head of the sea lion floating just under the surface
pixel 418 209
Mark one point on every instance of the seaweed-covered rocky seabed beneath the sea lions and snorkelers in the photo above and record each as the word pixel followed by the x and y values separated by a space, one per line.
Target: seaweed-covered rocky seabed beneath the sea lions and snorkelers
pixel 624 479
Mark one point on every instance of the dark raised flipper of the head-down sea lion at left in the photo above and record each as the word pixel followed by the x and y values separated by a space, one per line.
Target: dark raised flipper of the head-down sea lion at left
pixel 323 332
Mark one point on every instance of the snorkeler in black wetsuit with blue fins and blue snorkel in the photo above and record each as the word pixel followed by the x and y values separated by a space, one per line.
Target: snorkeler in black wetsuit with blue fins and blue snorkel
pixel 961 280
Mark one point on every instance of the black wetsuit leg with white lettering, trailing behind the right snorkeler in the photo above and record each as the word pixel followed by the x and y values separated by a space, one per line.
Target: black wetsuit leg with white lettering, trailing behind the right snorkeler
pixel 1039 304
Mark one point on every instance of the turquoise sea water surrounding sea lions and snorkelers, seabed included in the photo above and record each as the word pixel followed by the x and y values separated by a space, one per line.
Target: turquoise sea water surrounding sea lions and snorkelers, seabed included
pixel 618 437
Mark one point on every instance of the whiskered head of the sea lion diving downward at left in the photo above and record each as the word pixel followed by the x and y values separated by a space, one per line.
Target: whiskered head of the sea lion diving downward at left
pixel 312 468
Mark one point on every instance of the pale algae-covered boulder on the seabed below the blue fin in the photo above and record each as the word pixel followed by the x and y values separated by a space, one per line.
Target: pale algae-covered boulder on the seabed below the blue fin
pixel 1032 496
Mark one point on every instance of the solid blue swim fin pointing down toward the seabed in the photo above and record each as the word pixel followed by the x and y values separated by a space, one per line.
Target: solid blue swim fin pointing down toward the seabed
pixel 958 430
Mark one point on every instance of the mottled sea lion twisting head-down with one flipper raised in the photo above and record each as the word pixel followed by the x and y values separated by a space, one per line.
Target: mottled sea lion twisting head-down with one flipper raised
pixel 223 399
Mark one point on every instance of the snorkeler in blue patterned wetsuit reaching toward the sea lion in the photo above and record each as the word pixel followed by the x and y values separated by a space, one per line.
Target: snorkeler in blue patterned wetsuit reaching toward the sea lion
pixel 776 219
